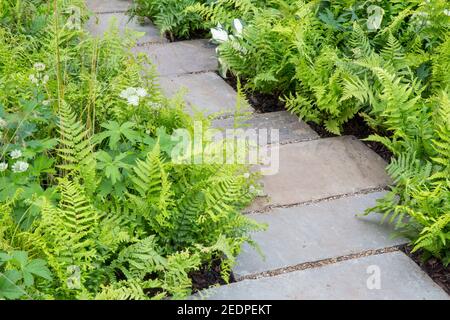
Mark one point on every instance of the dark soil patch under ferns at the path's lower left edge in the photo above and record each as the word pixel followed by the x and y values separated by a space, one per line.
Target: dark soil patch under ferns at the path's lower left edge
pixel 208 275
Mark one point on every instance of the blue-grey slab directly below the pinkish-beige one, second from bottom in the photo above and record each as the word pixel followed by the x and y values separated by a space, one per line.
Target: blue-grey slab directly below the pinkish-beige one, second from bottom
pixel 314 232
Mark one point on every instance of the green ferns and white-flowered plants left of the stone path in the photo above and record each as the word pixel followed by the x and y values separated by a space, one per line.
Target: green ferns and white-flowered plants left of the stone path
pixel 91 205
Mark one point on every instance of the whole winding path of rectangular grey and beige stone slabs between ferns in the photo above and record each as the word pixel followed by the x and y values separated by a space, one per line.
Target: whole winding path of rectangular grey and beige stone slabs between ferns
pixel 316 247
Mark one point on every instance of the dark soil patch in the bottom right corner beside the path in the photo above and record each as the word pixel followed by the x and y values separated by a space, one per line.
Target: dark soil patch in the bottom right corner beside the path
pixel 433 267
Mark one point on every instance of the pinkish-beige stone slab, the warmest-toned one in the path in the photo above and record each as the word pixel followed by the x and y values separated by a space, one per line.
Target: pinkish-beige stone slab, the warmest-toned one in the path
pixel 321 169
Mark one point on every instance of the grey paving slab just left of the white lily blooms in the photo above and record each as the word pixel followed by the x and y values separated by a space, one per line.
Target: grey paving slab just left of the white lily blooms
pixel 181 57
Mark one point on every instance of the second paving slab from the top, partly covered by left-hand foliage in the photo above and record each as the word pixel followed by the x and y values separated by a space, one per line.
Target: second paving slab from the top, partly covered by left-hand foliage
pixel 98 24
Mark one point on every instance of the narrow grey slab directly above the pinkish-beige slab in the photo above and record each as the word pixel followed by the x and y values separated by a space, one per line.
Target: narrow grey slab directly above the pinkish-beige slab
pixel 290 128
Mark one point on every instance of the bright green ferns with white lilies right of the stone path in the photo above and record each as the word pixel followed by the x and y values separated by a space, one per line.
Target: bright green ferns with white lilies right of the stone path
pixel 329 61
